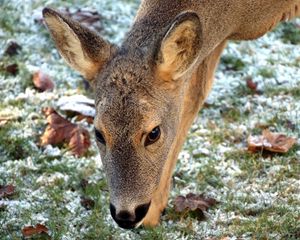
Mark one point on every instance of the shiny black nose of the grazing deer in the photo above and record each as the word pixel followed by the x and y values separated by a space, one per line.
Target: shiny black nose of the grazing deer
pixel 128 220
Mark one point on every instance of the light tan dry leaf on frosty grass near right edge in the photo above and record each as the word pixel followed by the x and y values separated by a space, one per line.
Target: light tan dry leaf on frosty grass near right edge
pixel 273 142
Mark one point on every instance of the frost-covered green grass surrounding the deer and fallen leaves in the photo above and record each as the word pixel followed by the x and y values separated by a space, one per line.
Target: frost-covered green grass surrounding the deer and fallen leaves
pixel 258 194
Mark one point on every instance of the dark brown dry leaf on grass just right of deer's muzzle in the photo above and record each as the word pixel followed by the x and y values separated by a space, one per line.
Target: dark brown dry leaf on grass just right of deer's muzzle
pixel 192 202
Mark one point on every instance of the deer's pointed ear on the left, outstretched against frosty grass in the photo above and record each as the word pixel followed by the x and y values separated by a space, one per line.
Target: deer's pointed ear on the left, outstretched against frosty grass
pixel 83 49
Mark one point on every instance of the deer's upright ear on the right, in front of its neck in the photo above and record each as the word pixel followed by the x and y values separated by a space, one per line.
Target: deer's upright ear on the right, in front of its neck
pixel 180 46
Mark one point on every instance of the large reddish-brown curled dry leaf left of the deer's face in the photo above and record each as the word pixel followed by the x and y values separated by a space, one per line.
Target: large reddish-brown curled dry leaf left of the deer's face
pixel 61 130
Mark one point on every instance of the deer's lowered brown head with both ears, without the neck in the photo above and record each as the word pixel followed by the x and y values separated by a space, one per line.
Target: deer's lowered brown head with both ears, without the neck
pixel 139 93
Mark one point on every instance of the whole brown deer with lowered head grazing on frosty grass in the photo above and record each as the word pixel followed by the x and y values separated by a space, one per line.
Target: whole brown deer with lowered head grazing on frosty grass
pixel 149 90
